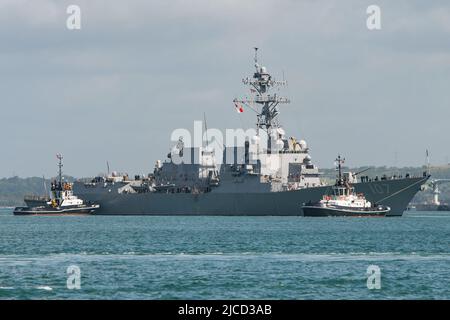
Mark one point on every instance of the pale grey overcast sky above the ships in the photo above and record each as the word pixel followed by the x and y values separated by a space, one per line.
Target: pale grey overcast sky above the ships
pixel 136 70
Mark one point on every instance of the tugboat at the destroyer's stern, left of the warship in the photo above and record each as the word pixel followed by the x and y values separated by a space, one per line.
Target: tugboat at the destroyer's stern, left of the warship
pixel 62 202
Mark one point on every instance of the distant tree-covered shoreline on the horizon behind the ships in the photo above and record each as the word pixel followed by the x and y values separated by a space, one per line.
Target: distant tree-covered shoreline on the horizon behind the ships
pixel 12 190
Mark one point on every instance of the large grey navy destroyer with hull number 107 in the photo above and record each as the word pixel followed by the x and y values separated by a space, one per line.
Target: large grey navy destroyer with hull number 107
pixel 250 180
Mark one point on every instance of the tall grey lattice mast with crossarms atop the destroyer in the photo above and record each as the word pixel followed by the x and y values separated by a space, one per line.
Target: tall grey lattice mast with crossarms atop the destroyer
pixel 261 83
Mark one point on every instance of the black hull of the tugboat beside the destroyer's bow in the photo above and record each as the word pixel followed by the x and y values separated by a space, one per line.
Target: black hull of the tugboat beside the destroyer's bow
pixel 316 211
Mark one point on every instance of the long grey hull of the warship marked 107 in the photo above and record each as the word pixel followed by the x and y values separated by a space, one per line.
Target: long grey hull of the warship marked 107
pixel 396 194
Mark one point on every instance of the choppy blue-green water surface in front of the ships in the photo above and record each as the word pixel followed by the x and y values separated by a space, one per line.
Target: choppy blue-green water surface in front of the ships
pixel 144 257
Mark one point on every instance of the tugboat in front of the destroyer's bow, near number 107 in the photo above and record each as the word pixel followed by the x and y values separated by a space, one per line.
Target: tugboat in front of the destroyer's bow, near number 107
pixel 344 201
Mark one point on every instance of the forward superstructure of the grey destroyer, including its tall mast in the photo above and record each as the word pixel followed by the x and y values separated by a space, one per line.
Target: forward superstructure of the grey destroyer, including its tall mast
pixel 285 162
